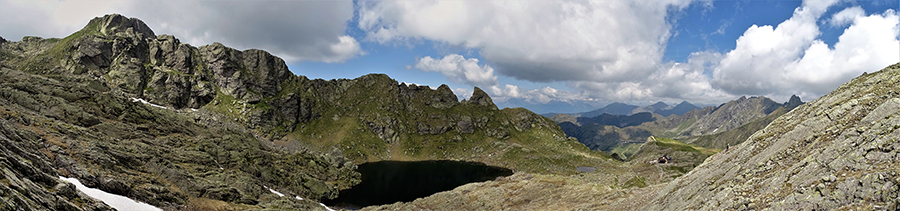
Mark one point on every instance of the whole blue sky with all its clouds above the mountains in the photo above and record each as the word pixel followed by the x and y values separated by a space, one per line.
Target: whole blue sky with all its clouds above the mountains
pixel 531 53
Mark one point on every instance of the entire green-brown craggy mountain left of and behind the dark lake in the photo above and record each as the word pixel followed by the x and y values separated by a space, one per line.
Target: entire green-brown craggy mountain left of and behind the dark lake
pixel 145 116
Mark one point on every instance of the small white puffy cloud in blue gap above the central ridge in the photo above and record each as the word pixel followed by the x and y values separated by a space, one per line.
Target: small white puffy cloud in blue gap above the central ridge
pixel 459 69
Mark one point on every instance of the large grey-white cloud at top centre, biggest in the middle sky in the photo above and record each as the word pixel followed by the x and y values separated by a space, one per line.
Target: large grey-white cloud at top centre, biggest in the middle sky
pixel 538 41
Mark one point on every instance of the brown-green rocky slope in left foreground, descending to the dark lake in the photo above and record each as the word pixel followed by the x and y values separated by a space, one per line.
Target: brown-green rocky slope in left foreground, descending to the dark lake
pixel 78 127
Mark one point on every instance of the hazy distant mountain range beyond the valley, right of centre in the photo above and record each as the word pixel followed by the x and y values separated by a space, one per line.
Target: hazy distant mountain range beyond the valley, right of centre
pixel 711 126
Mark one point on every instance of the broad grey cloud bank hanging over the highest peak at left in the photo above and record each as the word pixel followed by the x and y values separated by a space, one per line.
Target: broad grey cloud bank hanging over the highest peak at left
pixel 293 30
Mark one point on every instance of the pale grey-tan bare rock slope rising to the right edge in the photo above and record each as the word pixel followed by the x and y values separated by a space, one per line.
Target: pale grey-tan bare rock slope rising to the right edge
pixel 837 152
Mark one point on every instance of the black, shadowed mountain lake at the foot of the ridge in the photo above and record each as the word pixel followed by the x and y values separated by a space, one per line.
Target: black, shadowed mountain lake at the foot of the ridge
pixel 386 182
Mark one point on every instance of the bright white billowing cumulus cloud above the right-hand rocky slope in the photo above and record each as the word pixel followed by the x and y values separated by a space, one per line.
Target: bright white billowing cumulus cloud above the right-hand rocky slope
pixel 789 58
